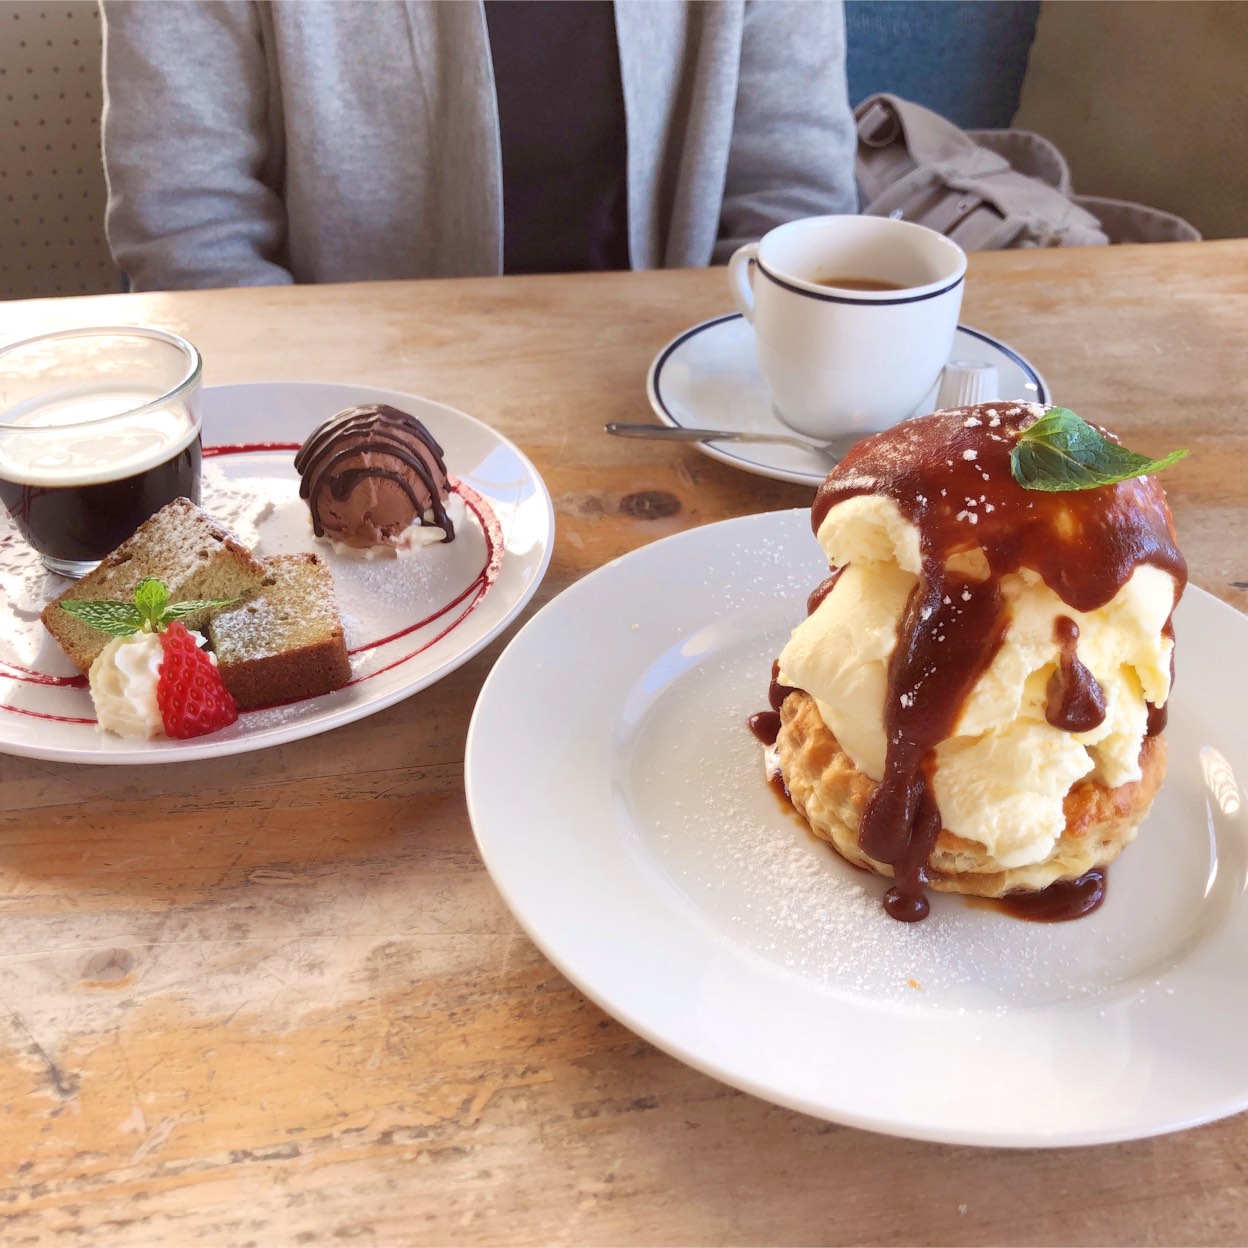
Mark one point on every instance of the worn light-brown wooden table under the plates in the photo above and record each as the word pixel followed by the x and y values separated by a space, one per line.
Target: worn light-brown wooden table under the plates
pixel 276 1000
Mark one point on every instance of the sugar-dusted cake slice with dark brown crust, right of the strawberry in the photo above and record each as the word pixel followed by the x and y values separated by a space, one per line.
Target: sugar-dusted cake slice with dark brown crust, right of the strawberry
pixel 286 642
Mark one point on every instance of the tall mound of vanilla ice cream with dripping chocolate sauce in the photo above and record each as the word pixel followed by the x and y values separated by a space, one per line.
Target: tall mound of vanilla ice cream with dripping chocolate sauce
pixel 984 647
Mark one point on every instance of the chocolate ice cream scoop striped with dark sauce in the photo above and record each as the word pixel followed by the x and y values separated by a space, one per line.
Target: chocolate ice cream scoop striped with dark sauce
pixel 373 474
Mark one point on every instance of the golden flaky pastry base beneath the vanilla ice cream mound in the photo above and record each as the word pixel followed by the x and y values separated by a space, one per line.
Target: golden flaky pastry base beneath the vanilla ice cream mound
pixel 831 794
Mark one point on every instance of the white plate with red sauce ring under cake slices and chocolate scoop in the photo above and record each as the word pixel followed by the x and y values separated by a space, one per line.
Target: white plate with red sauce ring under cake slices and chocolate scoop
pixel 409 622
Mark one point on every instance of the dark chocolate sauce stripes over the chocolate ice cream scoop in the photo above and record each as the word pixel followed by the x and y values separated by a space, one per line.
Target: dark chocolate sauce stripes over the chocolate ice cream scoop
pixel 375 429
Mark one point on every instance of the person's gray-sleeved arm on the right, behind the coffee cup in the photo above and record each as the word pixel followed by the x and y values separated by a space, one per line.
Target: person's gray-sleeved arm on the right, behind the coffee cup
pixel 794 139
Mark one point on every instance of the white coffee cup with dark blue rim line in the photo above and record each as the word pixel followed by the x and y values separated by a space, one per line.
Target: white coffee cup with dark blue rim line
pixel 854 319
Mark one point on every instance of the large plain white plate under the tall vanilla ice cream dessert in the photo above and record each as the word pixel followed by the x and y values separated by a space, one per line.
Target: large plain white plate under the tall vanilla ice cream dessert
pixel 621 806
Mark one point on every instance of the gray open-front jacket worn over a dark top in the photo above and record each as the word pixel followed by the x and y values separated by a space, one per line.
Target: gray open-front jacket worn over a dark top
pixel 311 142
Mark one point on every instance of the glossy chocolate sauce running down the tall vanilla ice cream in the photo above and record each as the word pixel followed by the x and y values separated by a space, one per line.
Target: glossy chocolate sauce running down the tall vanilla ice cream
pixel 949 474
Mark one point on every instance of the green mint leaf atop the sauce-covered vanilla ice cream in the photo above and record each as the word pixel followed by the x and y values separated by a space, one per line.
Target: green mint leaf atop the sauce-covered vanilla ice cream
pixel 1063 452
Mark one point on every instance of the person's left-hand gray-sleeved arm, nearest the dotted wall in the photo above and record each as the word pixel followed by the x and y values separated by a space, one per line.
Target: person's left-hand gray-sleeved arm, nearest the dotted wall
pixel 187 147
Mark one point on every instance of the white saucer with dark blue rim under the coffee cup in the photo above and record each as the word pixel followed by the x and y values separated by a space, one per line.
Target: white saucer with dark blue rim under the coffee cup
pixel 708 379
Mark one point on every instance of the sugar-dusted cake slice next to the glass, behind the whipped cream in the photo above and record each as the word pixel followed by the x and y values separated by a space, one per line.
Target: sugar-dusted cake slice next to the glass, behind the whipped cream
pixel 182 546
